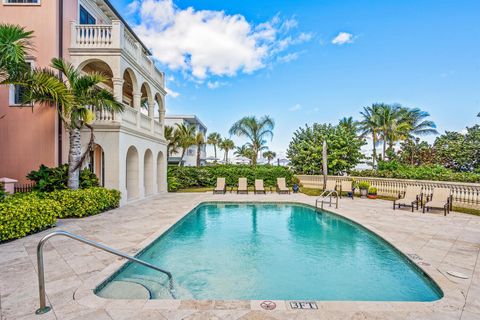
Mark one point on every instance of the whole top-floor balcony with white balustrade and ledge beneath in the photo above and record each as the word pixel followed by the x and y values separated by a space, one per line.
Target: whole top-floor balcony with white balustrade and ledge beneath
pixel 113 39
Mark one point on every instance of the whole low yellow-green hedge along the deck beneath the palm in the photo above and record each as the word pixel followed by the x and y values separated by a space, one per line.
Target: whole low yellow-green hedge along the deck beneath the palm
pixel 26 213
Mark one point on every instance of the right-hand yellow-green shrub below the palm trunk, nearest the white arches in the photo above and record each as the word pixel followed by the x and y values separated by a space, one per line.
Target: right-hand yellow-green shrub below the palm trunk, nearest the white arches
pixel 84 202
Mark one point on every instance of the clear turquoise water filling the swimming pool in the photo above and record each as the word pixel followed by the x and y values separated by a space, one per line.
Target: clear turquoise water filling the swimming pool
pixel 255 251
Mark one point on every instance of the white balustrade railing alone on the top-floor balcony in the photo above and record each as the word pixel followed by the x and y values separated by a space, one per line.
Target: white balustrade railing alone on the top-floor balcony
pixel 114 36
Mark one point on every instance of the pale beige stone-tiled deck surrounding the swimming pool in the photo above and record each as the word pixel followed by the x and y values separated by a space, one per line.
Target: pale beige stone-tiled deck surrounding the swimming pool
pixel 436 243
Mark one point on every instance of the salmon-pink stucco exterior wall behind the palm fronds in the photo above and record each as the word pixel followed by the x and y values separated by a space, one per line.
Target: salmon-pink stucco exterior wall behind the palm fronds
pixel 28 136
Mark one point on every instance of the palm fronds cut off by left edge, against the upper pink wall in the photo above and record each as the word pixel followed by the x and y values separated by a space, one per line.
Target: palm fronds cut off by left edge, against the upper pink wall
pixel 15 43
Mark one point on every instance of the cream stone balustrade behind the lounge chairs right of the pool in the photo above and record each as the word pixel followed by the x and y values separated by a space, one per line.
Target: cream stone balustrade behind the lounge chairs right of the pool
pixel 464 194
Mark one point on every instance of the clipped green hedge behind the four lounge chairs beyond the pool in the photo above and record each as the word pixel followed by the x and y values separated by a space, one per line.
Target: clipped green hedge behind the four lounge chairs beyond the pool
pixel 188 177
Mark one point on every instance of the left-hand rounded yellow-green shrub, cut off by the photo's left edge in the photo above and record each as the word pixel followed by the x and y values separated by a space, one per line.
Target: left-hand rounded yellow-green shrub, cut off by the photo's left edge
pixel 24 214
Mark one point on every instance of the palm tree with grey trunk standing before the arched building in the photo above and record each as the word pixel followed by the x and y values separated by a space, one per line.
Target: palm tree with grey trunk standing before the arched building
pixel 87 97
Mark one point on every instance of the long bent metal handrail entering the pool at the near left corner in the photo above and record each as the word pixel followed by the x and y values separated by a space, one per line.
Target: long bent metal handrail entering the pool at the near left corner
pixel 41 276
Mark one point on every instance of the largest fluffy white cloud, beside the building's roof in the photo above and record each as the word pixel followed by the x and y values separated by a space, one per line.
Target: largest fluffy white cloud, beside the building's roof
pixel 206 42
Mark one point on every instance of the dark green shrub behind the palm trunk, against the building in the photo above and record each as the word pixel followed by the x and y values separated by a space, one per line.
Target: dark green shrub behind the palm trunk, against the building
pixel 50 179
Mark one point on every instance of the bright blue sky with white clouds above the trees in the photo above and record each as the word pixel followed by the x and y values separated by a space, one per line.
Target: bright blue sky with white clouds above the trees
pixel 418 53
